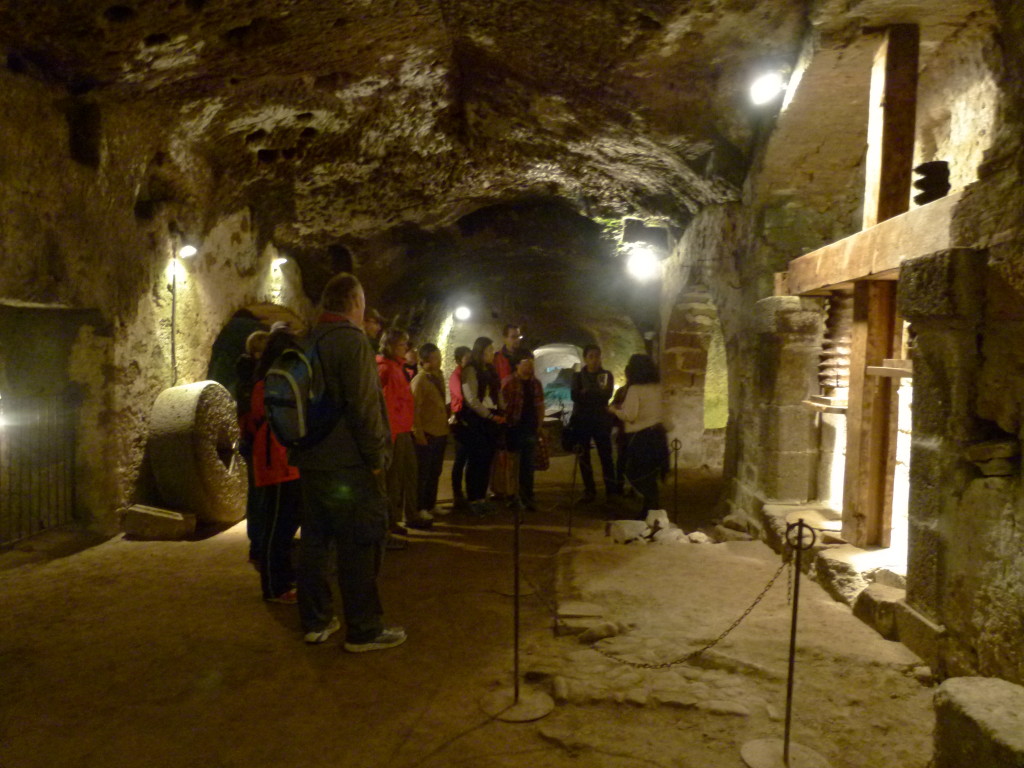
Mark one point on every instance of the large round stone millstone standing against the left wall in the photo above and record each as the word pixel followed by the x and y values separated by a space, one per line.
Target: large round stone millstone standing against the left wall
pixel 193 433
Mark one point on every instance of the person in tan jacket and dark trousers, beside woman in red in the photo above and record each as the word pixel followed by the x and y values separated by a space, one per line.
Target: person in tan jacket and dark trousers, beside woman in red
pixel 431 428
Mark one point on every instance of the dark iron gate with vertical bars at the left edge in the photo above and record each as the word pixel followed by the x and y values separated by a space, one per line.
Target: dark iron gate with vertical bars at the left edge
pixel 37 465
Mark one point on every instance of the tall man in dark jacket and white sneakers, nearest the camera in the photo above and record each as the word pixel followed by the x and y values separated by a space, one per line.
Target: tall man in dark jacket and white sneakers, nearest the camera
pixel 343 480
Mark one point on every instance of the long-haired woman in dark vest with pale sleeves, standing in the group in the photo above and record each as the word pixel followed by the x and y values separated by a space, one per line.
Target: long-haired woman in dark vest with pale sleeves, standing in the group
pixel 482 418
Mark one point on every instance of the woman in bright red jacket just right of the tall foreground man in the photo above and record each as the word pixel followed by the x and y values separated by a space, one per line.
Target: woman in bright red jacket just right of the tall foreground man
pixel 402 475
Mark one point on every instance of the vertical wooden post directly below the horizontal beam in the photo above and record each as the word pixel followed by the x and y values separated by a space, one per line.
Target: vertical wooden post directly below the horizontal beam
pixel 871 432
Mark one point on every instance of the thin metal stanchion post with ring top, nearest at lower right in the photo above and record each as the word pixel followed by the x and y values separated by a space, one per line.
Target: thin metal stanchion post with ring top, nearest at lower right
pixel 773 753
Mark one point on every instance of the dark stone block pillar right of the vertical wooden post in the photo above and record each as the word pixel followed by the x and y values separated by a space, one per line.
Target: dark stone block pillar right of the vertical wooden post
pixel 943 297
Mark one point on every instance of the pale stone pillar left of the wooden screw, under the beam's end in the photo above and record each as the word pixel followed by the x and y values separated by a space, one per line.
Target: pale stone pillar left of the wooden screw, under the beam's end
pixel 789 331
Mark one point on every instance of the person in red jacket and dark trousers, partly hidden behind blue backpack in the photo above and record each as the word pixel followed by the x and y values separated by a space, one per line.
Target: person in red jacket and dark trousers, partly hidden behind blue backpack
pixel 282 497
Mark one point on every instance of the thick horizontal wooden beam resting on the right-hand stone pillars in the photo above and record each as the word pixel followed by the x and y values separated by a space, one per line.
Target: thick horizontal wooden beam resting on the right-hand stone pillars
pixel 875 253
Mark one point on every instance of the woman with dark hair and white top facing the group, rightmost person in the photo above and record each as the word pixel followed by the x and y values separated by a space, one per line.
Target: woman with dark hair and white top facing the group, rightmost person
pixel 648 444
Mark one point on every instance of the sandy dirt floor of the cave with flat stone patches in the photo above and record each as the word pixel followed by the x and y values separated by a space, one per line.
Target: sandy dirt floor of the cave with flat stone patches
pixel 146 654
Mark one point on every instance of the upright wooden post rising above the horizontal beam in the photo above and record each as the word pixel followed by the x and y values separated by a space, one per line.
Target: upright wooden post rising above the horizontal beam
pixel 891 120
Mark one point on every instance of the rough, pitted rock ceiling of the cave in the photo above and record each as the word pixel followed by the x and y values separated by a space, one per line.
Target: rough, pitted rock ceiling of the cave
pixel 337 118
